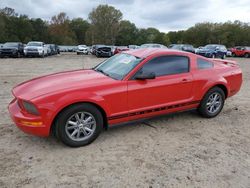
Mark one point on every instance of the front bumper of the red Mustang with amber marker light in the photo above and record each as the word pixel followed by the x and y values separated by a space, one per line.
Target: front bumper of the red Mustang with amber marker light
pixel 28 123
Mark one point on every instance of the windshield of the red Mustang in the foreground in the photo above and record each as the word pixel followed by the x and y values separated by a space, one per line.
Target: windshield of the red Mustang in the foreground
pixel 118 66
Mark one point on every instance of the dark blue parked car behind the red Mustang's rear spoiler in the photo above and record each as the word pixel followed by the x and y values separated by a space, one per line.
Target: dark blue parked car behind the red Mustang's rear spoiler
pixel 213 51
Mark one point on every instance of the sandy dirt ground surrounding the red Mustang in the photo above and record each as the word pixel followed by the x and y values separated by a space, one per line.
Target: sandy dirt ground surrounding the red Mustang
pixel 181 150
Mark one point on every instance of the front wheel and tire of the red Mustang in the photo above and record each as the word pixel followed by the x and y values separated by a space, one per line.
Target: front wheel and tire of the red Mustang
pixel 75 133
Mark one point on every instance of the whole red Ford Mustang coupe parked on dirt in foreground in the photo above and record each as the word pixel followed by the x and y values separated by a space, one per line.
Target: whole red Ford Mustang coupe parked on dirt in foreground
pixel 77 105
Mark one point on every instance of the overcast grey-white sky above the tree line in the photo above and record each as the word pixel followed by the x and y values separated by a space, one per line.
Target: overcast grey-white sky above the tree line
pixel 166 15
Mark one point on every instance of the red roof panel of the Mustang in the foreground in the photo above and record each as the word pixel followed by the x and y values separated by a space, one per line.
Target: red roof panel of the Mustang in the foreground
pixel 145 52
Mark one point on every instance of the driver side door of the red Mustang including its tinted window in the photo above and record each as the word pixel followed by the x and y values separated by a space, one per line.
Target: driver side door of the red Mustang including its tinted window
pixel 171 86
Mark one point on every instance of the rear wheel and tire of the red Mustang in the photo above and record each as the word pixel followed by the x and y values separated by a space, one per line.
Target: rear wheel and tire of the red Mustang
pixel 206 110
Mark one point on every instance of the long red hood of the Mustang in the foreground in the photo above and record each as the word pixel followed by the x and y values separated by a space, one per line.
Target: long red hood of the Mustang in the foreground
pixel 60 82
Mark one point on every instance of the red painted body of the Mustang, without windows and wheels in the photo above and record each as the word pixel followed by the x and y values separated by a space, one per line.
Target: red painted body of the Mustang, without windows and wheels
pixel 121 100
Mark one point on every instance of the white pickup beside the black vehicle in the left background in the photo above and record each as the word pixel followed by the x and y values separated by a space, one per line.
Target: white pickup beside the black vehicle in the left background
pixel 35 48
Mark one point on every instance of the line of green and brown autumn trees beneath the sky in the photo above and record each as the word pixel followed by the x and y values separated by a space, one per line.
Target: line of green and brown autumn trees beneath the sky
pixel 105 25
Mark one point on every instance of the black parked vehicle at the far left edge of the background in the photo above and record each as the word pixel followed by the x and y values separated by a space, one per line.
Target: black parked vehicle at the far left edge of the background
pixel 12 49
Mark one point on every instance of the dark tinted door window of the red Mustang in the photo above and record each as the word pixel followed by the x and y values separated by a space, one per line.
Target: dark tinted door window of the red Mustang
pixel 166 65
